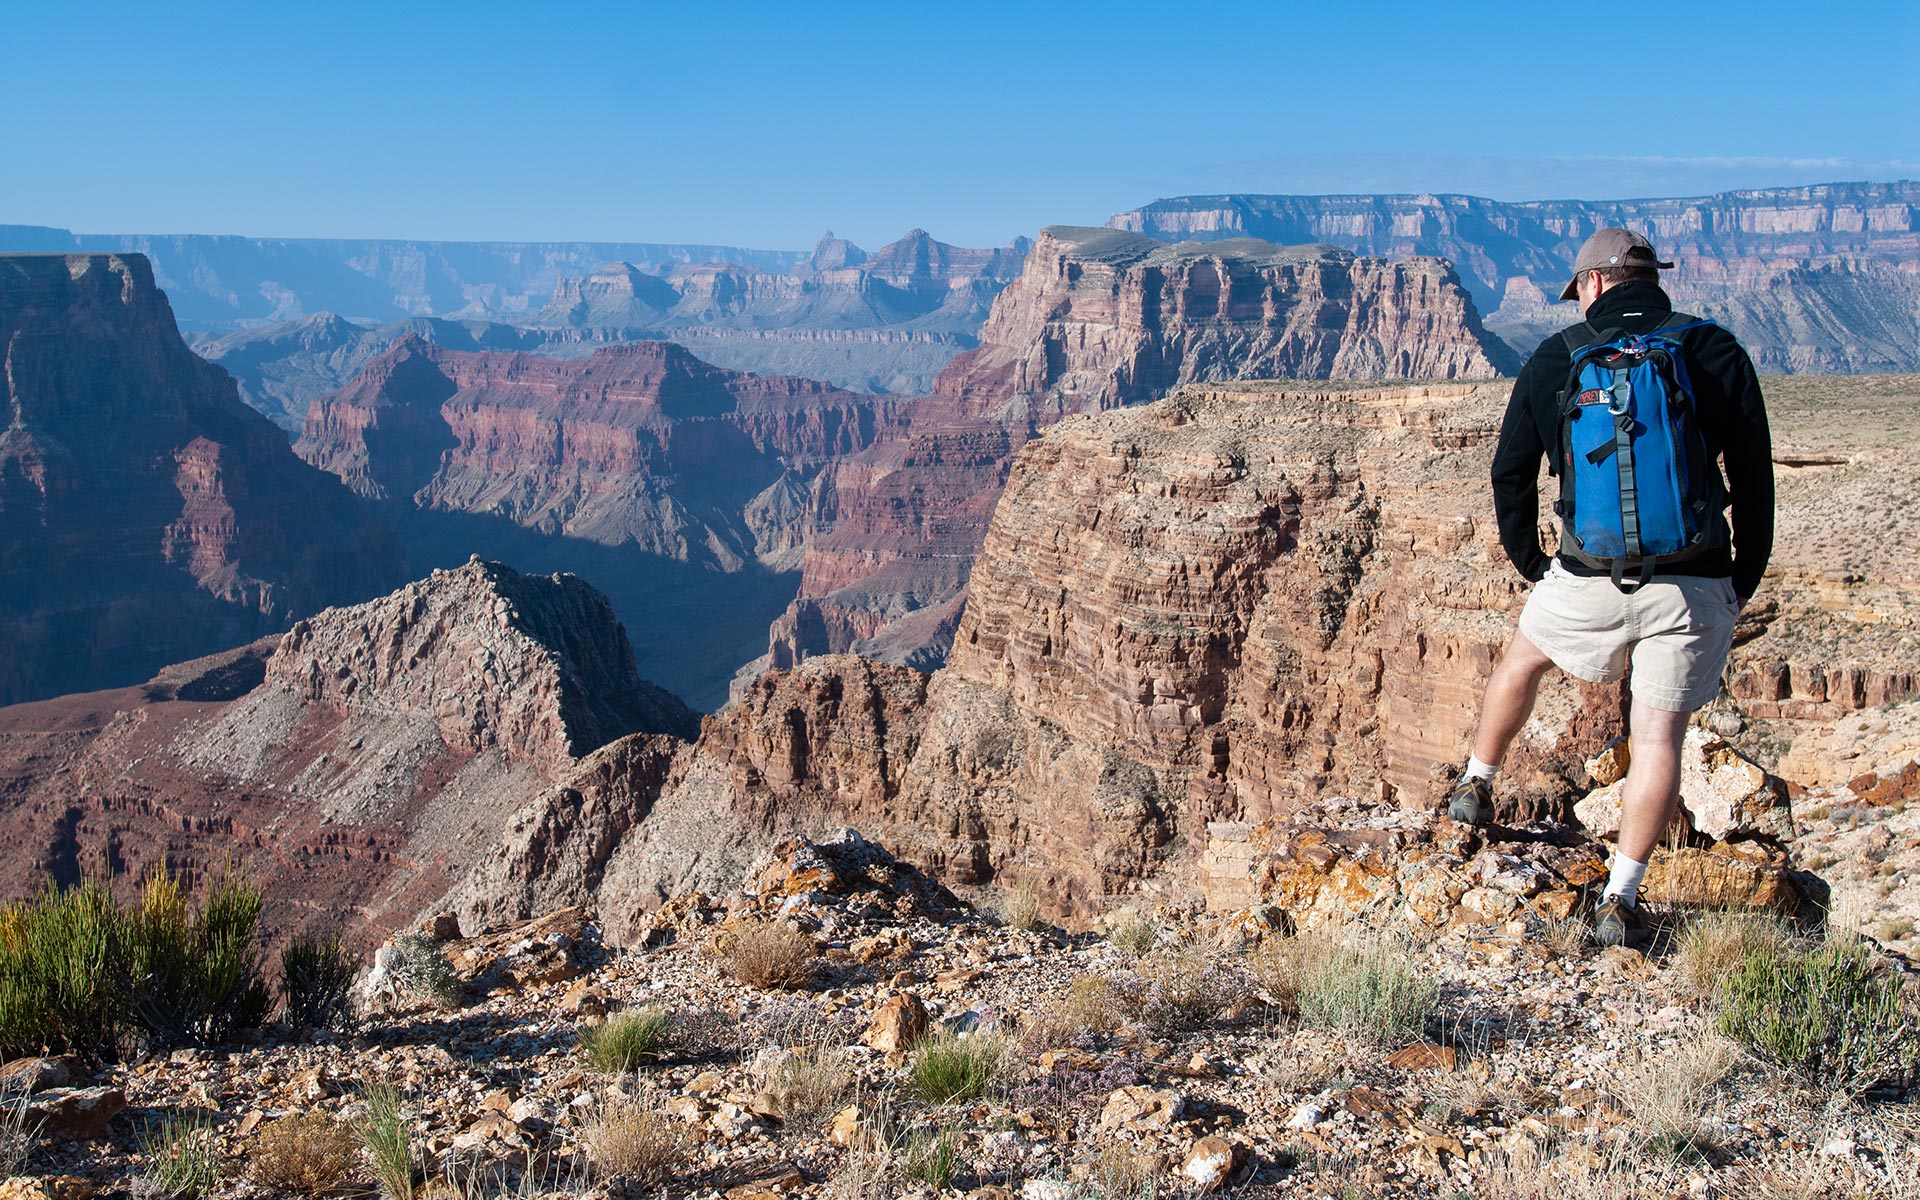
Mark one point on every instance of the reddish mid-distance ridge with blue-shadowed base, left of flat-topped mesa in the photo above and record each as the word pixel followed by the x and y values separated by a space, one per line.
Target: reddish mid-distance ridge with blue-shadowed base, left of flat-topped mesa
pixel 675 485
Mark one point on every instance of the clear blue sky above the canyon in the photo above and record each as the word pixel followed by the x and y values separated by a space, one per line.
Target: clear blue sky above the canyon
pixel 767 124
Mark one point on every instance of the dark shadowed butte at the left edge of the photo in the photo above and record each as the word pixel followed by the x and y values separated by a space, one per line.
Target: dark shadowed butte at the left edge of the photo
pixel 147 516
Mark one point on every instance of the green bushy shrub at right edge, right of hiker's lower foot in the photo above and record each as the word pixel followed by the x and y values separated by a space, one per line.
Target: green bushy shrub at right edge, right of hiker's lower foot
pixel 1831 1017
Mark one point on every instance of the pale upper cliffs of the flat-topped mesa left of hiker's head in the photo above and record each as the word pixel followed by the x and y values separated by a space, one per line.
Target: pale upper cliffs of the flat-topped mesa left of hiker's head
pixel 1105 318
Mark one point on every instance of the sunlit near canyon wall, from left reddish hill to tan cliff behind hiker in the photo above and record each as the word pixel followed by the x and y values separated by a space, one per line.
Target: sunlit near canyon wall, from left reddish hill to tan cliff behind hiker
pixel 1191 625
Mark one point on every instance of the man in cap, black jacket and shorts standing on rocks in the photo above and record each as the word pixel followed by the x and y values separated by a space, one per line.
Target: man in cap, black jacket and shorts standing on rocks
pixel 1637 410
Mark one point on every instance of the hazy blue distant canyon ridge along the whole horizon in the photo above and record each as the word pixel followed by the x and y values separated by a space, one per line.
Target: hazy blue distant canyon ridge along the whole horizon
pixel 1815 279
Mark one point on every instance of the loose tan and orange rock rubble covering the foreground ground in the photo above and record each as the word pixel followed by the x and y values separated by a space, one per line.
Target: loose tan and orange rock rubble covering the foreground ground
pixel 1522 1088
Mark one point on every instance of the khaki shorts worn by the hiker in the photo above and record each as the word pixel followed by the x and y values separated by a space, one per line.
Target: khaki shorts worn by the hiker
pixel 1673 629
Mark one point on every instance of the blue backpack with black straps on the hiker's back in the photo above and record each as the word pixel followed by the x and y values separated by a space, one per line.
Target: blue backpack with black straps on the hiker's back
pixel 1637 487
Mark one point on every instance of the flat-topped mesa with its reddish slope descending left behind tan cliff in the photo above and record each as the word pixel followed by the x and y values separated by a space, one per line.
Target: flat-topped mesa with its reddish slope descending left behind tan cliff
pixel 1095 322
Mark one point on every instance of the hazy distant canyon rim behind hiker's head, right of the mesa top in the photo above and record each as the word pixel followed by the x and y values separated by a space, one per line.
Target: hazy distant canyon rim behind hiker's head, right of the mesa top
pixel 1821 279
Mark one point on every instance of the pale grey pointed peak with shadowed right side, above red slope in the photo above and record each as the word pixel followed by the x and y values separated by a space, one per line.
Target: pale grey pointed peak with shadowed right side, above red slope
pixel 535 667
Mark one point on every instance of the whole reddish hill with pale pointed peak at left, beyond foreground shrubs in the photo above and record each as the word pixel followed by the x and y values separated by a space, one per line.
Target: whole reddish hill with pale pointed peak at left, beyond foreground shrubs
pixel 360 767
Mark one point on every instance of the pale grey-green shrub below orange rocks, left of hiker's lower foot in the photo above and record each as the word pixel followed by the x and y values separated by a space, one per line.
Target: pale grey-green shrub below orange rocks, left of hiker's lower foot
pixel 1366 986
